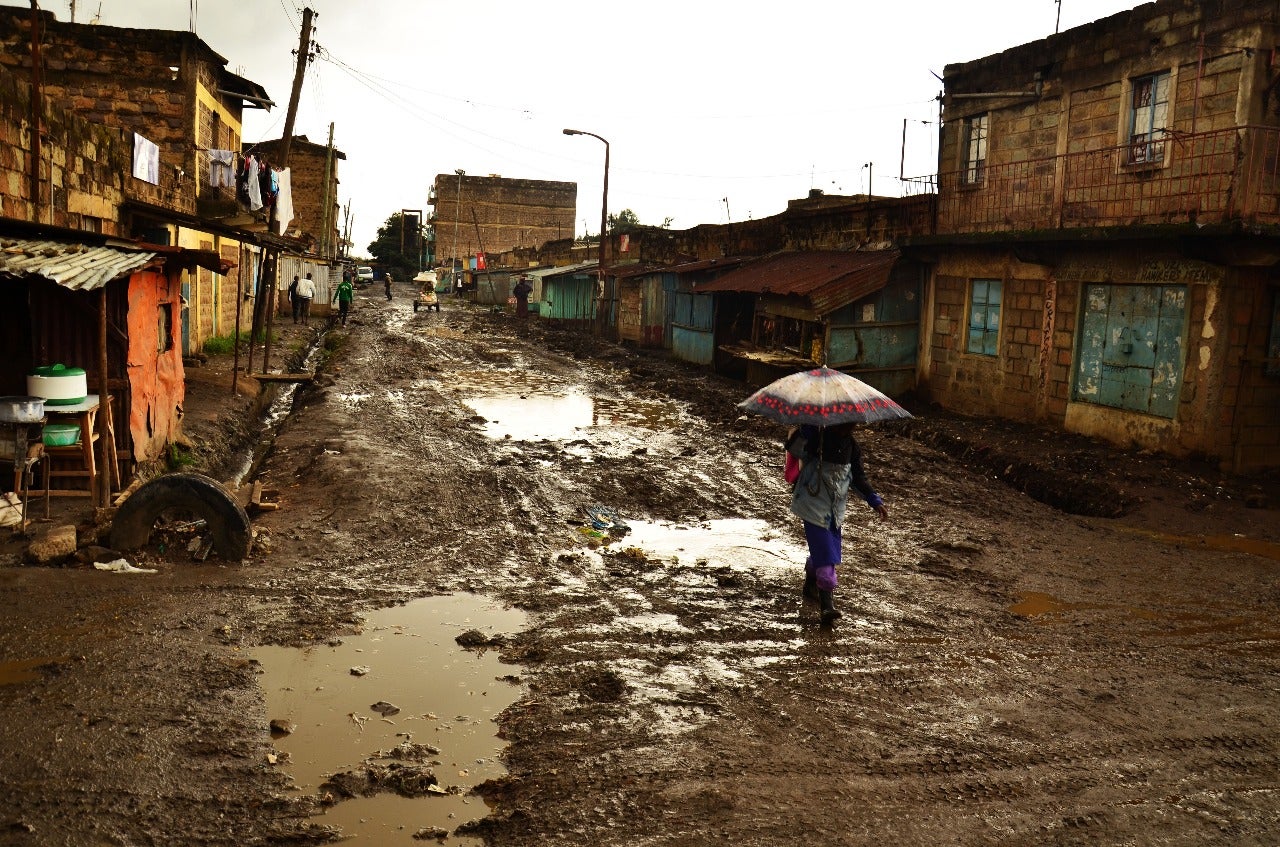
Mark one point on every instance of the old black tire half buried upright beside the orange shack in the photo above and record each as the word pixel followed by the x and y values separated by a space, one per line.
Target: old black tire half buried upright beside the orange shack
pixel 195 493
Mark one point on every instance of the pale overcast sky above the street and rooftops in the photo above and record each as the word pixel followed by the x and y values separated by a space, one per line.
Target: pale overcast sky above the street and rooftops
pixel 715 109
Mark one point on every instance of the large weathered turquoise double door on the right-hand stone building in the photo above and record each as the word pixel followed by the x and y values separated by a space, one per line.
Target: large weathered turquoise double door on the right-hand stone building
pixel 1131 349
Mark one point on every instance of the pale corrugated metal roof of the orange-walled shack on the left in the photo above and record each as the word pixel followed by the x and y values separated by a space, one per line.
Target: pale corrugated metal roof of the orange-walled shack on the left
pixel 72 265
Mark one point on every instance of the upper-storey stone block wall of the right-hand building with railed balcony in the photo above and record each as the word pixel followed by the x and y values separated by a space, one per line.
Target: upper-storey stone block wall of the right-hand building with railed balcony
pixel 1085 107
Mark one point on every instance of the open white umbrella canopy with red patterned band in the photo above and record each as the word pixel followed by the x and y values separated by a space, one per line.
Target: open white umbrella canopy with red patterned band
pixel 822 397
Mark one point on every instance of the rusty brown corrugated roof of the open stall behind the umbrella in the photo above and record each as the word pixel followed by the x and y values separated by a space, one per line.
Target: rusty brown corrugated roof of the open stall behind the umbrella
pixel 829 280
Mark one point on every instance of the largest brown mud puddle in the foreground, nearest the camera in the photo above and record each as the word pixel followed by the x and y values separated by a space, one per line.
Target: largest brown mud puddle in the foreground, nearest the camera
pixel 401 698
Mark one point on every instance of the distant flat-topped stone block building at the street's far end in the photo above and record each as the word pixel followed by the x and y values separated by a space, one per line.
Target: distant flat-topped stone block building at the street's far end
pixel 508 213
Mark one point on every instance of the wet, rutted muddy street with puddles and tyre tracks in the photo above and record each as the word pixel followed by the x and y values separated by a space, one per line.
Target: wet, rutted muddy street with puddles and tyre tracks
pixel 1005 672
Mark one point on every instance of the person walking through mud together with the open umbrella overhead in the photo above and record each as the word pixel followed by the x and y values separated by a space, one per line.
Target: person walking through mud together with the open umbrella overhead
pixel 824 406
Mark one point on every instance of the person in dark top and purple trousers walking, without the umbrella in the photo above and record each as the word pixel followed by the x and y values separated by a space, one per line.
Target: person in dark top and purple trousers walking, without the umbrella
pixel 830 464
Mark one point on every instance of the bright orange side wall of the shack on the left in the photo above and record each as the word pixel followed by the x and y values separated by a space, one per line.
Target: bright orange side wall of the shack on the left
pixel 157 378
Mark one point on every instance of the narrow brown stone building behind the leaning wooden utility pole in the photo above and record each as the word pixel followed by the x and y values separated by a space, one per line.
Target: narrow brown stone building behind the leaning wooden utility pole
pixel 314 173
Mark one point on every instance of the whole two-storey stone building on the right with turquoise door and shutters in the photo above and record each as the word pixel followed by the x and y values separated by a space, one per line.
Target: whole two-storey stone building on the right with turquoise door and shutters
pixel 1105 257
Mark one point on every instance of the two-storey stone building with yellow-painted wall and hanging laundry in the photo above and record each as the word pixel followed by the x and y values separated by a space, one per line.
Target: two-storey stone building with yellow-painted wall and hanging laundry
pixel 164 89
